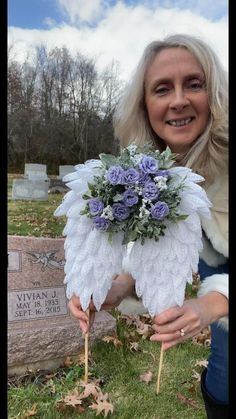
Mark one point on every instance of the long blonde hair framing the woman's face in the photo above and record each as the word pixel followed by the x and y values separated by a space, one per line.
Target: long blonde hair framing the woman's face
pixel 208 155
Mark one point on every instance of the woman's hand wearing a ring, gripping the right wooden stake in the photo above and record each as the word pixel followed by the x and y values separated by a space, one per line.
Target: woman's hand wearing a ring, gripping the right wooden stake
pixel 177 324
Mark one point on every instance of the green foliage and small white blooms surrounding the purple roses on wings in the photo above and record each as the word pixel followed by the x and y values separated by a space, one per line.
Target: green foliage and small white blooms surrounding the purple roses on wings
pixel 139 223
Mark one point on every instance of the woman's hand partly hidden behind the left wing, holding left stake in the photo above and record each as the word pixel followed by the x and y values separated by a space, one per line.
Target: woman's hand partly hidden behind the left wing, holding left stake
pixel 122 286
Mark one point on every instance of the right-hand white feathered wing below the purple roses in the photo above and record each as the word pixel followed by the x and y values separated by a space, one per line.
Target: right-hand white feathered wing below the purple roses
pixel 162 268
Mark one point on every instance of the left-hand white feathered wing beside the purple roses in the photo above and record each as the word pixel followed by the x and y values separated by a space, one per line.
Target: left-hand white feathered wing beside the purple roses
pixel 91 260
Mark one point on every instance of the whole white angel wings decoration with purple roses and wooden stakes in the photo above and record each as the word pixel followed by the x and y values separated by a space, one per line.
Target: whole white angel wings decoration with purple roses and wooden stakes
pixel 138 213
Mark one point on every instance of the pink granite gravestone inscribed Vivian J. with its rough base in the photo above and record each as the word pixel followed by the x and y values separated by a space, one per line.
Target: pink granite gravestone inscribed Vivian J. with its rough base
pixel 41 332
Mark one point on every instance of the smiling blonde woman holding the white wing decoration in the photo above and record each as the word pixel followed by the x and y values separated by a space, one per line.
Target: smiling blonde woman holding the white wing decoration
pixel 178 97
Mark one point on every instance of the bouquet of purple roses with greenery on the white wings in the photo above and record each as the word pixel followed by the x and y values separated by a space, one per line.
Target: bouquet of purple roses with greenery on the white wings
pixel 134 193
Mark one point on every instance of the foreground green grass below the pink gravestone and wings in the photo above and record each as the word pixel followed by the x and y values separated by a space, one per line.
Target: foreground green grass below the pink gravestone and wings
pixel 119 369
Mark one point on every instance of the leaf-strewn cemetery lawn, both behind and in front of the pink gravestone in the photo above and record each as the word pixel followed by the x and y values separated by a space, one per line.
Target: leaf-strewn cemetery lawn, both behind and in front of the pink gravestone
pixel 118 364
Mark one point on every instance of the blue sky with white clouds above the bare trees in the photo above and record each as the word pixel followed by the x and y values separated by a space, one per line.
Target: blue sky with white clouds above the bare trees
pixel 114 30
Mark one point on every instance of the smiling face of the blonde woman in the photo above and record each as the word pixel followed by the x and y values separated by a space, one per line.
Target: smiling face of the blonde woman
pixel 176 98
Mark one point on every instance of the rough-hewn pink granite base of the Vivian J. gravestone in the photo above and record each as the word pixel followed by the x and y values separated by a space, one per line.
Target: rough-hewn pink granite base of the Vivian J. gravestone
pixel 46 348
